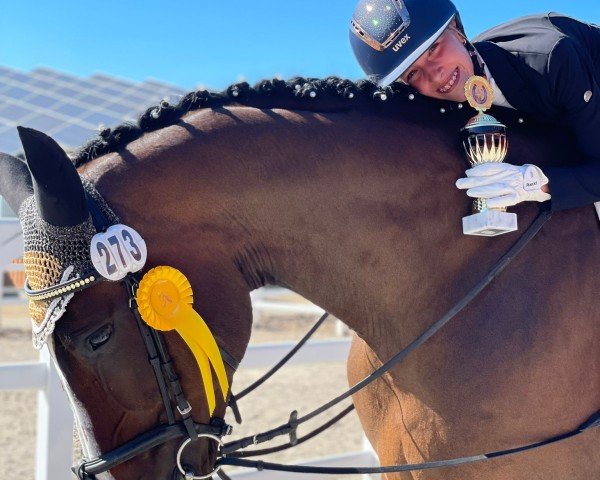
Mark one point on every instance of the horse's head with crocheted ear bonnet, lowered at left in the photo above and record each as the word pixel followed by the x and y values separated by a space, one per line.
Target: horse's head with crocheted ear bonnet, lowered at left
pixel 121 381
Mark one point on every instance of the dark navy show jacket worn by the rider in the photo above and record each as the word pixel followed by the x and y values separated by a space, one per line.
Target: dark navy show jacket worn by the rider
pixel 546 66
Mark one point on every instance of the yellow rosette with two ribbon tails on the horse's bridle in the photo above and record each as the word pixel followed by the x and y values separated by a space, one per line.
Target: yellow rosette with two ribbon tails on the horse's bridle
pixel 165 301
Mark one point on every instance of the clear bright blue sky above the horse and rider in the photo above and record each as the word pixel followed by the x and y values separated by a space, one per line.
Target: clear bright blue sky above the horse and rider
pixel 211 43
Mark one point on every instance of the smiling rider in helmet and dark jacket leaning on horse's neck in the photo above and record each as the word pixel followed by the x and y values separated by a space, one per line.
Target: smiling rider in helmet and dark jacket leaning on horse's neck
pixel 545 65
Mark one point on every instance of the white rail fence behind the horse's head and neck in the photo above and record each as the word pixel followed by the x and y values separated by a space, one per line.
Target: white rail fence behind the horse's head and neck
pixel 55 420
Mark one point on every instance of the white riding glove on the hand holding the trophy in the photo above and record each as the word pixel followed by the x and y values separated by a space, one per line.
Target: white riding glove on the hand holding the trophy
pixel 503 184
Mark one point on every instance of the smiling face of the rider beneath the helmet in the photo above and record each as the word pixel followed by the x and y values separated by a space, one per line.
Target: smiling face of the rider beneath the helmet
pixel 441 72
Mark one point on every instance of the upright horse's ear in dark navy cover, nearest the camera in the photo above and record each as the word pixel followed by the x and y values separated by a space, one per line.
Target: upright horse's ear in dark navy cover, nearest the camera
pixel 56 184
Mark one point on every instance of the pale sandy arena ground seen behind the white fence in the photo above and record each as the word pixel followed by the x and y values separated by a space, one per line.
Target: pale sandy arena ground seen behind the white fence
pixel 300 387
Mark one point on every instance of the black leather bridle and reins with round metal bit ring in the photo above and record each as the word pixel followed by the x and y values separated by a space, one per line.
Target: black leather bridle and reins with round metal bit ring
pixel 191 431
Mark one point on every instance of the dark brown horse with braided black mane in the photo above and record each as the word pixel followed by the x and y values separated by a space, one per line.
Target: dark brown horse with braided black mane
pixel 344 193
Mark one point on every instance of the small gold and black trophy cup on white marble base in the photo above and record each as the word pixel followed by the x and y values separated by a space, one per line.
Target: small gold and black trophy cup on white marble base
pixel 484 140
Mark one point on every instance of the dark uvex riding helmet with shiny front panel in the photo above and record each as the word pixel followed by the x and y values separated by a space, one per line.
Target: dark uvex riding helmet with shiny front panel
pixel 388 36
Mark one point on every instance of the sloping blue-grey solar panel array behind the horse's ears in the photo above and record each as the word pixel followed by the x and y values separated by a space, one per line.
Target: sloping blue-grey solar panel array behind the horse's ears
pixel 71 109
